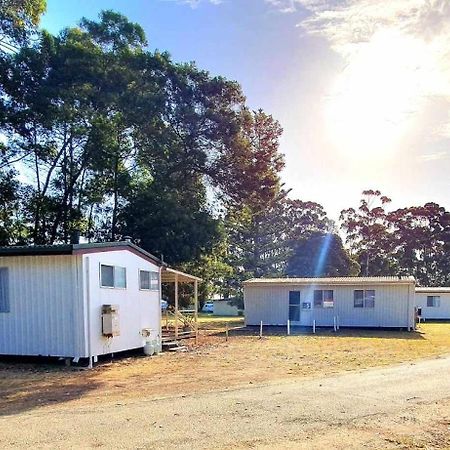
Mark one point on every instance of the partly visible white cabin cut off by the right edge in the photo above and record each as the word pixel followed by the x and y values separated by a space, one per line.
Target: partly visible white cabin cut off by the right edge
pixel 433 302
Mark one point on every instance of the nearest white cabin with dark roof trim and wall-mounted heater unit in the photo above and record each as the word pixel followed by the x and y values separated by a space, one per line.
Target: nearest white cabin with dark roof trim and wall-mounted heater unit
pixel 79 300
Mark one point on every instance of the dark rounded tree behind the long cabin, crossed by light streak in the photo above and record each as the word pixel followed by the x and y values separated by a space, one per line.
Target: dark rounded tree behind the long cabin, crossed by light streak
pixel 321 255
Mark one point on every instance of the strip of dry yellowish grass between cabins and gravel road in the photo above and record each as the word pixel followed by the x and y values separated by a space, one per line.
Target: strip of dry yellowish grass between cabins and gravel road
pixel 217 364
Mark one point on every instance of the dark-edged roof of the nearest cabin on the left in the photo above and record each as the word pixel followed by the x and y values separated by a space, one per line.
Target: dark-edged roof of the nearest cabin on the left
pixel 71 249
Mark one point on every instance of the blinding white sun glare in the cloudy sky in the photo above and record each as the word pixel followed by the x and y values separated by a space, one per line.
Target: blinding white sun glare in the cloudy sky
pixel 373 101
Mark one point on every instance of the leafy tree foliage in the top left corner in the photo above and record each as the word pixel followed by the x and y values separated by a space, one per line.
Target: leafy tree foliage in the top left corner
pixel 18 18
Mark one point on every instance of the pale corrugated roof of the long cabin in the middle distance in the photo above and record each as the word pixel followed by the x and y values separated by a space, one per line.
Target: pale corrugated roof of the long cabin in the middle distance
pixel 332 280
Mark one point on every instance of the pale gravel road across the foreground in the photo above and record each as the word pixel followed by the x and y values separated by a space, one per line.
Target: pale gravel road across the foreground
pixel 405 406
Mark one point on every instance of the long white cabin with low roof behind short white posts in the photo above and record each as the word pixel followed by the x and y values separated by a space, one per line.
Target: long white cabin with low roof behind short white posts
pixel 351 301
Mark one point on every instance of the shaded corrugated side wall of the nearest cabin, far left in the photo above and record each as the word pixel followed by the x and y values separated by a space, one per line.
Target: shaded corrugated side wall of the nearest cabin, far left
pixel 45 306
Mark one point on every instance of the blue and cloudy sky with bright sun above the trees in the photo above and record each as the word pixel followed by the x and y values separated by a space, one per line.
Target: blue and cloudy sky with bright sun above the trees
pixel 361 88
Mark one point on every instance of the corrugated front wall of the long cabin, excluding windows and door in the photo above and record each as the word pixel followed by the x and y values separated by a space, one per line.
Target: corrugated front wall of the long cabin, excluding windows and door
pixel 270 304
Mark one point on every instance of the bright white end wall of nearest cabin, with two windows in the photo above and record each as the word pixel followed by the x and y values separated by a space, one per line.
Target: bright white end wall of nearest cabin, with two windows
pixel 138 309
